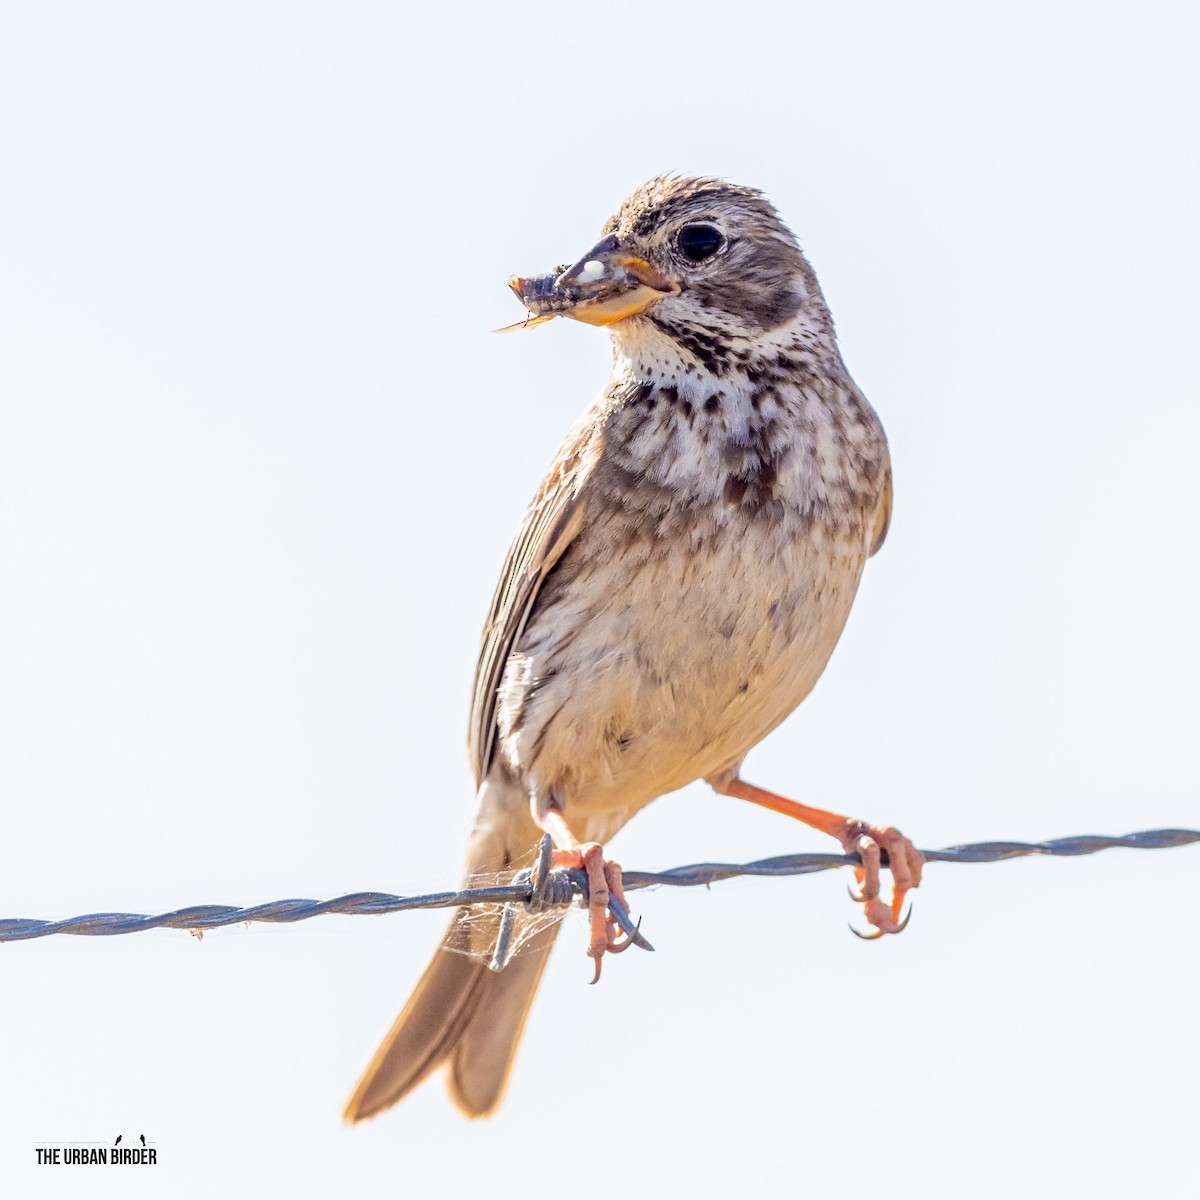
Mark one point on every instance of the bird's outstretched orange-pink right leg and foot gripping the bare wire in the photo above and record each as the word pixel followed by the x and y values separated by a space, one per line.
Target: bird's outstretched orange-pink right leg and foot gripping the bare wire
pixel 871 843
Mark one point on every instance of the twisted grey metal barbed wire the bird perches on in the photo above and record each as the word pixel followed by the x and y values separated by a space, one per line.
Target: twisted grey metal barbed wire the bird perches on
pixel 559 886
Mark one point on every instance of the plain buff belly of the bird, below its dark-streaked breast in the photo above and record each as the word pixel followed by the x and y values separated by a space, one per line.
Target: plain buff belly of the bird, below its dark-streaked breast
pixel 650 662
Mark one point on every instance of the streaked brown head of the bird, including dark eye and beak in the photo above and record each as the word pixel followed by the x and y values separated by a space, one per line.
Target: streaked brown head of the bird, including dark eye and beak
pixel 703 261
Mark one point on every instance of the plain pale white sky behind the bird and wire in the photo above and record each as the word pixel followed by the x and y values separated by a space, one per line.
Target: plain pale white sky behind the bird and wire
pixel 260 461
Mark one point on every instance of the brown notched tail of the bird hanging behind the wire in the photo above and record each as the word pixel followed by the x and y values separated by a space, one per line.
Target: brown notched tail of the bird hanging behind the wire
pixel 461 1013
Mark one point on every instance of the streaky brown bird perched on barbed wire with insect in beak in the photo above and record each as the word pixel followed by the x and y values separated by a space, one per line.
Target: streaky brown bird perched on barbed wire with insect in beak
pixel 674 592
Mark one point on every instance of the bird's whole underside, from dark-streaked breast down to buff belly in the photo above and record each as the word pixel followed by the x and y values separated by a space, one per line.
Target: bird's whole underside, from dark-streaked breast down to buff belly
pixel 723 544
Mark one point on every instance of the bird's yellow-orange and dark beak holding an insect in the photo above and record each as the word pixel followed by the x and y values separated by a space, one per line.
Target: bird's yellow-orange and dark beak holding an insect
pixel 602 289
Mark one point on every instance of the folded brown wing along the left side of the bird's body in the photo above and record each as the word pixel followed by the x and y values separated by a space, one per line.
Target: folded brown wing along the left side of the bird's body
pixel 550 525
